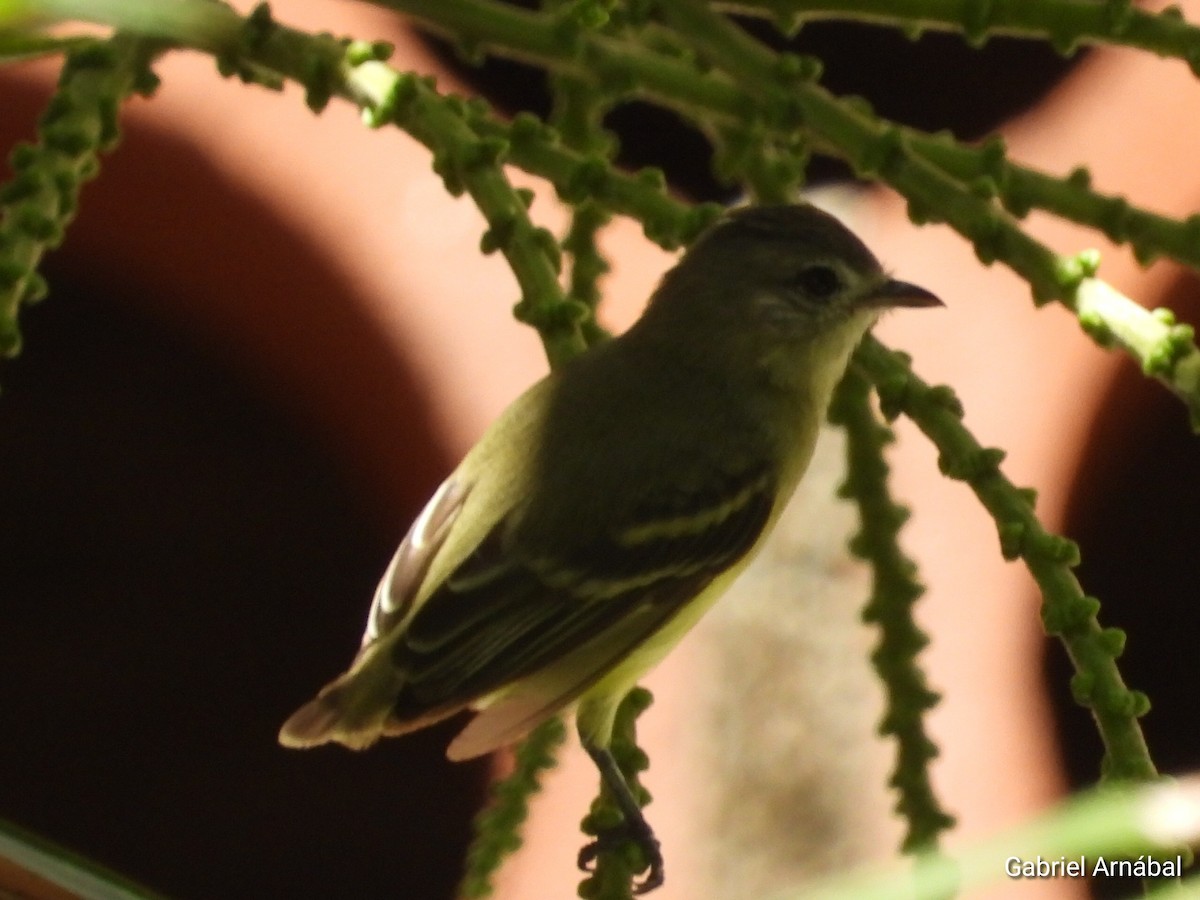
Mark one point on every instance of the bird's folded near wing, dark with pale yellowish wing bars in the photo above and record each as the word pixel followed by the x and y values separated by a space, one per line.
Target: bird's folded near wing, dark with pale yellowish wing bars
pixel 523 634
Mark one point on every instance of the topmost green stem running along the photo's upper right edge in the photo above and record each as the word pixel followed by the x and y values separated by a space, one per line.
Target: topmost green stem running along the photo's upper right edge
pixel 1066 25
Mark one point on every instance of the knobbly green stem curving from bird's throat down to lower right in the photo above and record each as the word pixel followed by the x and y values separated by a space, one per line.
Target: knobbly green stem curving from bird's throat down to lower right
pixel 1066 611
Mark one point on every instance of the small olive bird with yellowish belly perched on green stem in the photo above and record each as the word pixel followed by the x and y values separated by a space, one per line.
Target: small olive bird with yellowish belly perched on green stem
pixel 611 505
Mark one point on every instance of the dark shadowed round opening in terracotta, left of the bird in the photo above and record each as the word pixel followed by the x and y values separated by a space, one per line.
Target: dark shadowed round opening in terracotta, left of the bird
pixel 207 457
